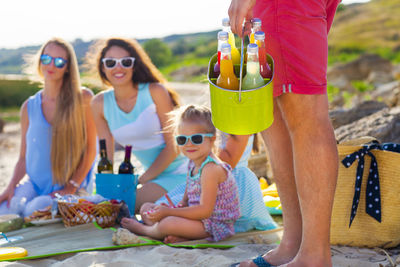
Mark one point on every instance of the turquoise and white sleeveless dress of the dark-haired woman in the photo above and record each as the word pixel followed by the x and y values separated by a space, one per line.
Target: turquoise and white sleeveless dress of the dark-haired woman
pixel 141 128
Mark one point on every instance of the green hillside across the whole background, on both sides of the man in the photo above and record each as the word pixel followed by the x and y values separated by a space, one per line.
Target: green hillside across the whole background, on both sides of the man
pixel 372 27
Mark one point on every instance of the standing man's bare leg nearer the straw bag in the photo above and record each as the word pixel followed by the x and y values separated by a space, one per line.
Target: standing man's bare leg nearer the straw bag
pixel 316 167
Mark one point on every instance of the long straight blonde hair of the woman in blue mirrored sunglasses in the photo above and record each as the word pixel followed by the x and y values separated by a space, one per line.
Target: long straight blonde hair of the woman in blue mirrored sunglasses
pixel 68 142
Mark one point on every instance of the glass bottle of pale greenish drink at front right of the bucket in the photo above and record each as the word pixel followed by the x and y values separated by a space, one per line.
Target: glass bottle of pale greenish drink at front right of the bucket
pixel 253 78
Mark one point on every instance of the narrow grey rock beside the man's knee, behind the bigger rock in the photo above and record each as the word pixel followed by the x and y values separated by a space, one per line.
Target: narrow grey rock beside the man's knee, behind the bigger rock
pixel 340 117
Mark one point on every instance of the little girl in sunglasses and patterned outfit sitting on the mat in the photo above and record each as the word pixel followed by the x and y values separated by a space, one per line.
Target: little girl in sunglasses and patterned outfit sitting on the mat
pixel 210 204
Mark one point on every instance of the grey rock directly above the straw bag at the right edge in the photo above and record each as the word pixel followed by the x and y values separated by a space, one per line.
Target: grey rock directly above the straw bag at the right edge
pixel 383 125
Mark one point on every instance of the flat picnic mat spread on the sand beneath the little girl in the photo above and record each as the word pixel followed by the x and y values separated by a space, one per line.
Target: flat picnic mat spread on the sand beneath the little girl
pixel 55 239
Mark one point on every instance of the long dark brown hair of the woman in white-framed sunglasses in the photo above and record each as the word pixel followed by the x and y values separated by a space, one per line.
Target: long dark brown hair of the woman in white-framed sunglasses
pixel 144 70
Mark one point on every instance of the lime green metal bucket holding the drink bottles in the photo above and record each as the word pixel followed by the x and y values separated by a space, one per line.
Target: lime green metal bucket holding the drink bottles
pixel 241 112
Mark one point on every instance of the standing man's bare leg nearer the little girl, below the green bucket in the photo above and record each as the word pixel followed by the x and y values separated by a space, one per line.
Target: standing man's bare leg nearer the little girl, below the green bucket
pixel 279 146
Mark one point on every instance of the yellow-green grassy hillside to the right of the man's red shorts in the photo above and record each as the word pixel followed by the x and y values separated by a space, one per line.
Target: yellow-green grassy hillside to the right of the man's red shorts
pixel 368 27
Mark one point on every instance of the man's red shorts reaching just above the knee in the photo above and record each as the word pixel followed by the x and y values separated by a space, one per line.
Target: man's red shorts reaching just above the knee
pixel 296 37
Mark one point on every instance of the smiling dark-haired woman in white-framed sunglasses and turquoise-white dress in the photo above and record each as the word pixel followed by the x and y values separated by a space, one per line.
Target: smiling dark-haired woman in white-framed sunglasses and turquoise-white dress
pixel 134 112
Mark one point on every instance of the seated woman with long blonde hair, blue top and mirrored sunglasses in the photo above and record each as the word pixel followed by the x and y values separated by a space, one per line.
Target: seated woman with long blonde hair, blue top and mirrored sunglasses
pixel 58 135
